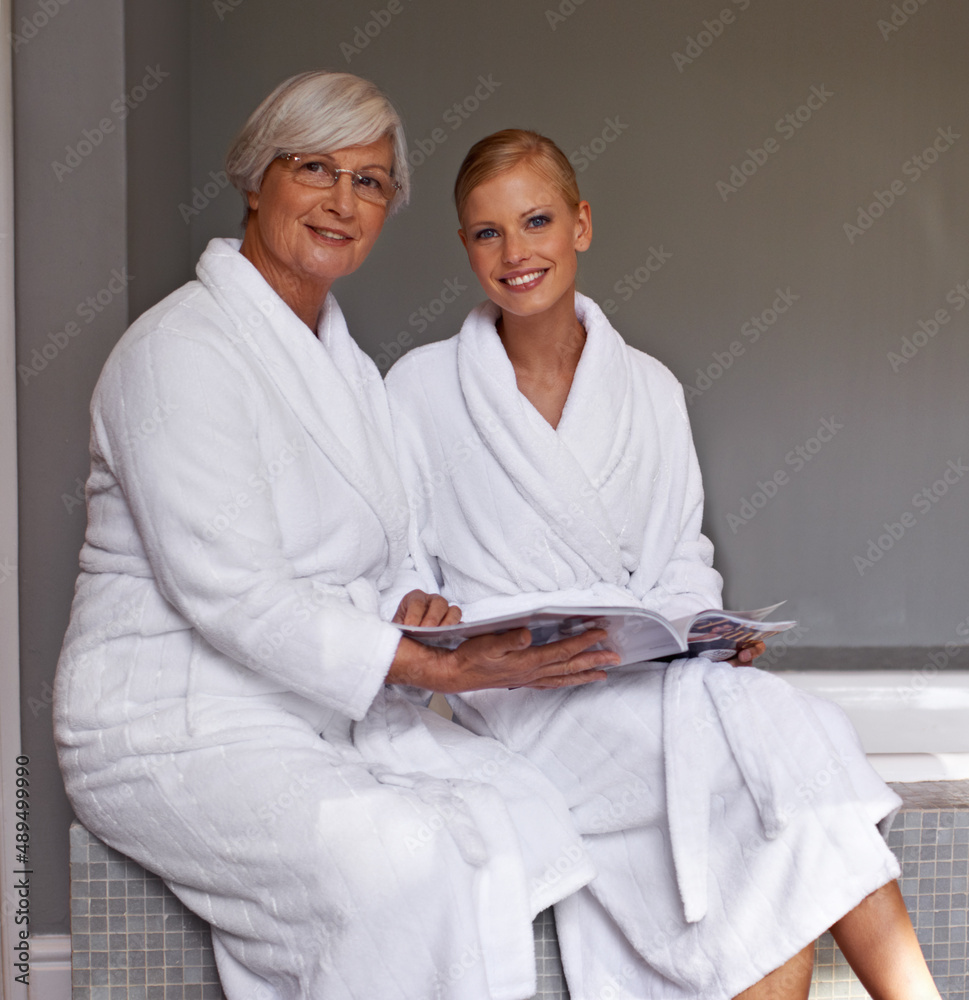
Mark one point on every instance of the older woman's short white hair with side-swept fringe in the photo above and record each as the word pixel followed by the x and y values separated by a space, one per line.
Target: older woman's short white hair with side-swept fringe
pixel 317 112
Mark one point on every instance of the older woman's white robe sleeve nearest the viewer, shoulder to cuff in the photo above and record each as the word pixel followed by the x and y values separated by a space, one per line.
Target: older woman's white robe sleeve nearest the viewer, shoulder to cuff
pixel 177 420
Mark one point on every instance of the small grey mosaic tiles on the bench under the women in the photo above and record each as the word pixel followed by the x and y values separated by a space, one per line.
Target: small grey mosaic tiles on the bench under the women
pixel 133 940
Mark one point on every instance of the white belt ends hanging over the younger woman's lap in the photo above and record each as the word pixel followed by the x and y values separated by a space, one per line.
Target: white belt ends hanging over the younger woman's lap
pixel 699 695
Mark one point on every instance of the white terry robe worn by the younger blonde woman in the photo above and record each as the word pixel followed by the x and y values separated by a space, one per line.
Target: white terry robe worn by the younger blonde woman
pixel 731 818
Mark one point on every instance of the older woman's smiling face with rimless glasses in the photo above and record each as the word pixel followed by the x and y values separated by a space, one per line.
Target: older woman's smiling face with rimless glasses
pixel 302 238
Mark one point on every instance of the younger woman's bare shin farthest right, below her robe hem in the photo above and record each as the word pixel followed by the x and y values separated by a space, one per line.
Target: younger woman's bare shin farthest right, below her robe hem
pixel 878 940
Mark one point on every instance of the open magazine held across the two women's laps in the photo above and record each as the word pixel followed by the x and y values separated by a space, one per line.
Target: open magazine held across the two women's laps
pixel 634 633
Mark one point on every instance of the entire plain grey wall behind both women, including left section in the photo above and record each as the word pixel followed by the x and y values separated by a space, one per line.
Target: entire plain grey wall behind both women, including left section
pixel 676 131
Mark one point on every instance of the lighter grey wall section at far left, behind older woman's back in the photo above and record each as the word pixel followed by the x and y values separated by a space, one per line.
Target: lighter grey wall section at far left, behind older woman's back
pixel 70 240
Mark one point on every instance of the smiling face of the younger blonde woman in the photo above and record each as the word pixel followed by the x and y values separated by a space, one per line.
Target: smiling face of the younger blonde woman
pixel 522 238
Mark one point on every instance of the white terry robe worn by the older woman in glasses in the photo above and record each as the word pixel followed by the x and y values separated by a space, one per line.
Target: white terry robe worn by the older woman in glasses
pixel 244 509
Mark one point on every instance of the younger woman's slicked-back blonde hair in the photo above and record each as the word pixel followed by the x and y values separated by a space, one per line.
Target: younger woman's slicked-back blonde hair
pixel 504 150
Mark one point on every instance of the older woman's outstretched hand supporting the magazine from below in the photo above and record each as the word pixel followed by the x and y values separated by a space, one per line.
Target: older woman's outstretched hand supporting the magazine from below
pixel 501 661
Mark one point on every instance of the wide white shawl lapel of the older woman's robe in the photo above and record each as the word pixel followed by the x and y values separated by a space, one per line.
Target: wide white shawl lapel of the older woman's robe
pixel 352 426
